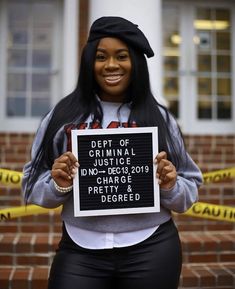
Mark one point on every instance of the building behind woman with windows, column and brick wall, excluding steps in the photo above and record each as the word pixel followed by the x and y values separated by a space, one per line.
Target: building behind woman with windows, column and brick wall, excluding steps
pixel 192 73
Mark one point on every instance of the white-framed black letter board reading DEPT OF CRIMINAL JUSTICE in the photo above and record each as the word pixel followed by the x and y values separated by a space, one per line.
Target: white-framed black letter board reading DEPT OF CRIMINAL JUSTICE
pixel 116 173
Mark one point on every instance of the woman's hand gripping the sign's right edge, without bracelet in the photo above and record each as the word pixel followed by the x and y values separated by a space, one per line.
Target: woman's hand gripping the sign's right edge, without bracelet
pixel 166 171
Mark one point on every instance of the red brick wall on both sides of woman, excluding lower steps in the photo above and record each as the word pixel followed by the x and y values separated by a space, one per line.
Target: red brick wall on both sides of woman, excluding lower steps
pixel 210 152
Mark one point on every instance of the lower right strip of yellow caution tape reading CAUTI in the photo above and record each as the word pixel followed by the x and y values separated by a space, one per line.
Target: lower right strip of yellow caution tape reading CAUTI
pixel 211 211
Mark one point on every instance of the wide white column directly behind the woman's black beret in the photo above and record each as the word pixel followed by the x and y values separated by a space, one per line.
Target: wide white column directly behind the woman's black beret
pixel 147 14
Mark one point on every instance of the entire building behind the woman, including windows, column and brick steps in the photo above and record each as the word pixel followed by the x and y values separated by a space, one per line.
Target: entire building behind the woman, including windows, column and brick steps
pixel 192 73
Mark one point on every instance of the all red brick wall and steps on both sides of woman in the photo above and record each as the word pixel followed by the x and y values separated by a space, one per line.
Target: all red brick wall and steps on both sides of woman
pixel 27 244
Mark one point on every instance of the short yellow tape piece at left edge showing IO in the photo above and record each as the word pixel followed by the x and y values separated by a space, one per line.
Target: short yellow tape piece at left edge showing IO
pixel 10 178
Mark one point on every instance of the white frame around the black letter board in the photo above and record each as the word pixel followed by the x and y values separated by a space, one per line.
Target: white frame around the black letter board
pixel 76 134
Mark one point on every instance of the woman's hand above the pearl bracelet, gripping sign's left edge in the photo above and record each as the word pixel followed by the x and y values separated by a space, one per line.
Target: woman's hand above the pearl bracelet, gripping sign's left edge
pixel 64 169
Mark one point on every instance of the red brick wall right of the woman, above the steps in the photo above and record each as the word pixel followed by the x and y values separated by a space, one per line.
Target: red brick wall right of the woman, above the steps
pixel 212 153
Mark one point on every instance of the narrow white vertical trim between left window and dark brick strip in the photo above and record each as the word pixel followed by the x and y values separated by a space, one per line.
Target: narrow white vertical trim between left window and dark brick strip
pixel 70 43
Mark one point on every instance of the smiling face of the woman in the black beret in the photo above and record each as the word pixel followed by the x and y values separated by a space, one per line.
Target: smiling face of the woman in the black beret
pixel 112 69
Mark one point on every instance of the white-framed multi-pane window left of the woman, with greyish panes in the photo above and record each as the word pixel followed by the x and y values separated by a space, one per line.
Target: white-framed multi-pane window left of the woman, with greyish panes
pixel 30 60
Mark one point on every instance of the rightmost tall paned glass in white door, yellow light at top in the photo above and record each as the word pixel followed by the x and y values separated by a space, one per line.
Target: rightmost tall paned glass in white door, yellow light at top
pixel 214 54
